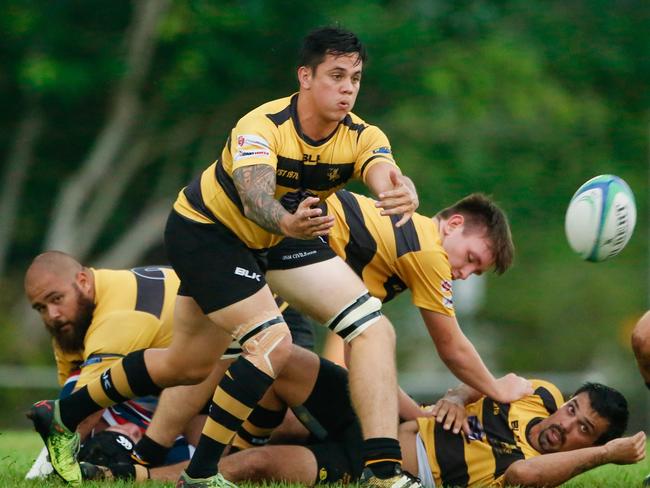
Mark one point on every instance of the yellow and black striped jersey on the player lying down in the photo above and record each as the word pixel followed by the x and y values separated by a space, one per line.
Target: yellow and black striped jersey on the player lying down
pixel 498 438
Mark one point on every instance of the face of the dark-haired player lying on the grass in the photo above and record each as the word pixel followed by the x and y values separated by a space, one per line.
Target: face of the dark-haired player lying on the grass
pixel 573 426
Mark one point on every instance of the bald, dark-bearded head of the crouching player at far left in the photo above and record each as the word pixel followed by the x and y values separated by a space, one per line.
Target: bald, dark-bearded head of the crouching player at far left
pixel 65 310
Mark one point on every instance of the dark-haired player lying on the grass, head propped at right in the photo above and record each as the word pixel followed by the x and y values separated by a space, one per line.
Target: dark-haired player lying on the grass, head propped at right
pixel 465 439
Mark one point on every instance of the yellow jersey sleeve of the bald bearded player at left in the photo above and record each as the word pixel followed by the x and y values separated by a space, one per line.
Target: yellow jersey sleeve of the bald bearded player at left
pixel 113 337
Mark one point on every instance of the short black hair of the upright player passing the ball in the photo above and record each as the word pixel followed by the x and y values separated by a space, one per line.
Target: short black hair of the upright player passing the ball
pixel 329 40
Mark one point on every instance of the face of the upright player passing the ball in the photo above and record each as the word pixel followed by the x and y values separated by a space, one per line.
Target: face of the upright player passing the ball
pixel 333 86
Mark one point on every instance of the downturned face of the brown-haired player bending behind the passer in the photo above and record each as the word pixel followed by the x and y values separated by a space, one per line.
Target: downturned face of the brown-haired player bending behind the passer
pixel 468 251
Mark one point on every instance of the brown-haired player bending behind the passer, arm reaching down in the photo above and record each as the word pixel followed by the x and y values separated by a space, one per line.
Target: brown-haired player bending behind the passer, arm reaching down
pixel 424 255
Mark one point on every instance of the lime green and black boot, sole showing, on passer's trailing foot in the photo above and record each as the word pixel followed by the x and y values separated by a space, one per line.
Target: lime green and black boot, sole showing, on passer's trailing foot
pixel 62 444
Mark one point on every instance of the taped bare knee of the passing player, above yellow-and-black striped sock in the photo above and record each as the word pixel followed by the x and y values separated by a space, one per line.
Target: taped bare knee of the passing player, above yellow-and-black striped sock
pixel 266 344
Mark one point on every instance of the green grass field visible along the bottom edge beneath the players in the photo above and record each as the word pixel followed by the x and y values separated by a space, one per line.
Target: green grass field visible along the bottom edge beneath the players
pixel 19 448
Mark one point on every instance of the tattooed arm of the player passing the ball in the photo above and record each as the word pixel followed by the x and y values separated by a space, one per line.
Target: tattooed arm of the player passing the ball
pixel 256 188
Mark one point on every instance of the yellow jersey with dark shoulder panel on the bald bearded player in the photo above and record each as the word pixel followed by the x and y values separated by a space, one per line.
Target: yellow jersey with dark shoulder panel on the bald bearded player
pixel 134 310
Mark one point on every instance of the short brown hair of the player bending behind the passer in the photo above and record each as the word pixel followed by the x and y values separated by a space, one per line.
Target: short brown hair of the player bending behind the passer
pixel 482 214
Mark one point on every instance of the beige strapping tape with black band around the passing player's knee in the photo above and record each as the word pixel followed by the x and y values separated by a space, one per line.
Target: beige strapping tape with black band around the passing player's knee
pixel 258 340
